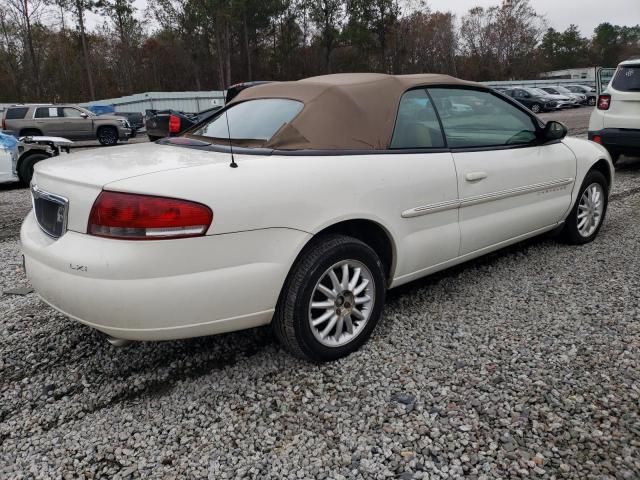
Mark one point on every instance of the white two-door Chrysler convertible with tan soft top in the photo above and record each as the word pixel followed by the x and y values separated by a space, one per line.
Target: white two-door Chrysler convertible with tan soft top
pixel 342 187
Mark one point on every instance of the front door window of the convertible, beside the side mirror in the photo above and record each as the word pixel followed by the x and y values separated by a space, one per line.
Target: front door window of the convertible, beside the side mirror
pixel 473 118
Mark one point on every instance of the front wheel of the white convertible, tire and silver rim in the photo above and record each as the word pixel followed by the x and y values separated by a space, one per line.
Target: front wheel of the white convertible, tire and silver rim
pixel 585 220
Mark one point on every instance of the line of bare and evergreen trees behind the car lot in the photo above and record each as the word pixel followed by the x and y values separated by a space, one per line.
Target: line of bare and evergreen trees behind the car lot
pixel 48 52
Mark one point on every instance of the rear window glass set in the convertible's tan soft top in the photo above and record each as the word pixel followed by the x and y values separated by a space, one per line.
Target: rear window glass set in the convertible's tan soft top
pixel 251 123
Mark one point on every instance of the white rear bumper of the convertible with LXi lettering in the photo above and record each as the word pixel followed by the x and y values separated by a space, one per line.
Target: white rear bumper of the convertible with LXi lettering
pixel 161 290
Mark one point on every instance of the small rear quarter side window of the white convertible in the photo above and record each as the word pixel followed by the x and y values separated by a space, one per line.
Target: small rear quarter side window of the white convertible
pixel 417 124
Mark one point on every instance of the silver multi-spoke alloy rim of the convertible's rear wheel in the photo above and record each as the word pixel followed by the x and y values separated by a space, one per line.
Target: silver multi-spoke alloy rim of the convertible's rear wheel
pixel 341 303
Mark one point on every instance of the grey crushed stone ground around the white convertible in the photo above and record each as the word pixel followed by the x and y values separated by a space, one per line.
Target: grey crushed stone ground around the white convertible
pixel 524 363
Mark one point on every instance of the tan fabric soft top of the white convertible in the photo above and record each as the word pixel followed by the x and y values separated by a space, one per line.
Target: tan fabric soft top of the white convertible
pixel 343 111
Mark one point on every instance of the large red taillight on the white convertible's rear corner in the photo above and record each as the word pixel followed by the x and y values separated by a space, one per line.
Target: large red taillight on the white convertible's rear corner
pixel 141 217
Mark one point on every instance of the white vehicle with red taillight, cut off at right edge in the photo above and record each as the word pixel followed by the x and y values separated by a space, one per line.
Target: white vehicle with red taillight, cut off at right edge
pixel 615 122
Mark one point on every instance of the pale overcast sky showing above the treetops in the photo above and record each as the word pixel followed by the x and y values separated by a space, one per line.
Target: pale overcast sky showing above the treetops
pixel 559 13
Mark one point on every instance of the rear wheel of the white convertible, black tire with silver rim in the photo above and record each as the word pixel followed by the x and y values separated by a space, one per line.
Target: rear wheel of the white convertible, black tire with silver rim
pixel 331 300
